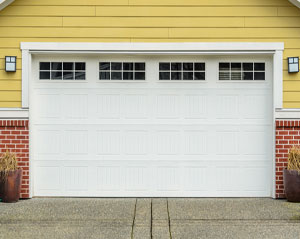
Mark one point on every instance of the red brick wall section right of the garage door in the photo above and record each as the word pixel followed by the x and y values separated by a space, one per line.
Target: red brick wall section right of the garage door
pixel 287 135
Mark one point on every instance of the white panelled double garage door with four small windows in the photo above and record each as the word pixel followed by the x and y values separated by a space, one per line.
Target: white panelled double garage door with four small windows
pixel 192 126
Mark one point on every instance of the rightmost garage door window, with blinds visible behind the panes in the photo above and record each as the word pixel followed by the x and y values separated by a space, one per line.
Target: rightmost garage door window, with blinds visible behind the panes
pixel 237 71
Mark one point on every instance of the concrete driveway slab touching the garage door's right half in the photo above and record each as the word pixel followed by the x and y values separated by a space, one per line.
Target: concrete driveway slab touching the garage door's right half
pixel 232 208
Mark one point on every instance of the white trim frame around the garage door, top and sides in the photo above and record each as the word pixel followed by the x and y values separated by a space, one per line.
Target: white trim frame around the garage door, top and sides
pixel 230 48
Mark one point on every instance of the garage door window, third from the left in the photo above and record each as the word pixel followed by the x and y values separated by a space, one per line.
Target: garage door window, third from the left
pixel 186 71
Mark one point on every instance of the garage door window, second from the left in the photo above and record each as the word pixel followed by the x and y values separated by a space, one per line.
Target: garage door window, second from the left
pixel 122 71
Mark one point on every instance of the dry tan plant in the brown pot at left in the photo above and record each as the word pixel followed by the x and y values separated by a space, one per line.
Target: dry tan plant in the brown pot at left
pixel 8 163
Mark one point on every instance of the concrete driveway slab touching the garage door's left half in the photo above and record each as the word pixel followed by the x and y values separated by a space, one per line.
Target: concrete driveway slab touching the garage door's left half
pixel 69 209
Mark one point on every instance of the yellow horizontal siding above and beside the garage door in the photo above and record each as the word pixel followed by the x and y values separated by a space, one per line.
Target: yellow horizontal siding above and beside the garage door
pixel 147 21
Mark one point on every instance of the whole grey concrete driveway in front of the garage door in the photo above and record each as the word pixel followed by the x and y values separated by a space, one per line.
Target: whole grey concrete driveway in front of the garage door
pixel 149 218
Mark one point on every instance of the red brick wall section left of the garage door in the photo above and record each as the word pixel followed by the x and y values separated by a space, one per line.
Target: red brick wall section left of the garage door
pixel 15 138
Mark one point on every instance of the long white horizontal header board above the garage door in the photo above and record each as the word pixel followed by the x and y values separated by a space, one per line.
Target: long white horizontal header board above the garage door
pixel 152 47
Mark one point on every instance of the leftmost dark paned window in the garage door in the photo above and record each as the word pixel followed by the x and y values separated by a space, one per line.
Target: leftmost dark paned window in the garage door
pixel 62 70
